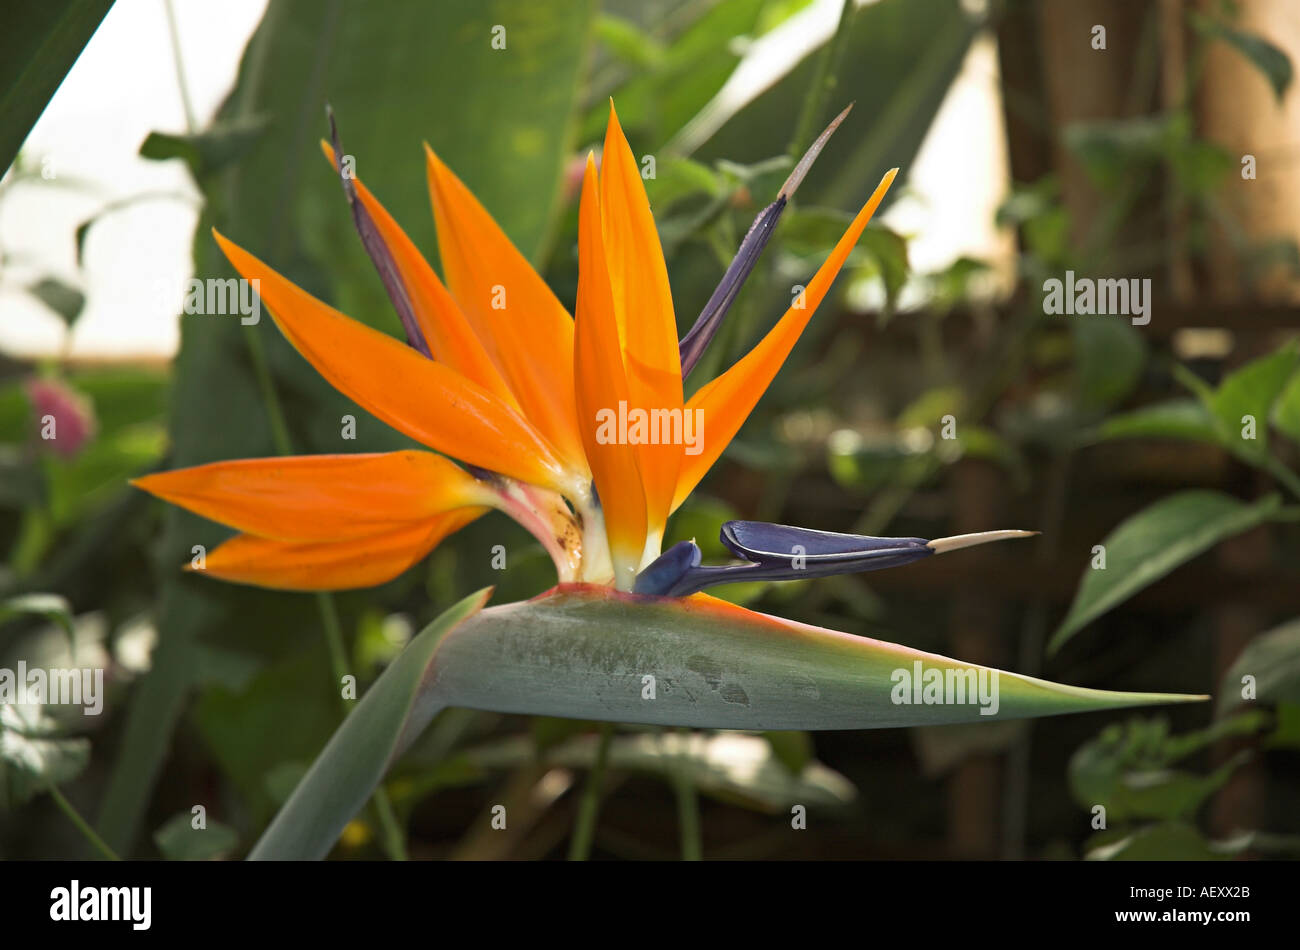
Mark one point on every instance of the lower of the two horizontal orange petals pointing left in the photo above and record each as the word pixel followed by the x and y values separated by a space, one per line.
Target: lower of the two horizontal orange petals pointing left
pixel 331 566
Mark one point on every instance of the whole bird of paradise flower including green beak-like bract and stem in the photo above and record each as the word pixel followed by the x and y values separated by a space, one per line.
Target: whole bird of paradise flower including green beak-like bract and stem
pixel 497 374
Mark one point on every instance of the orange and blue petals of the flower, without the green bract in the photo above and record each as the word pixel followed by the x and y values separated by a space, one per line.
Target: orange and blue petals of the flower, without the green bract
pixel 499 376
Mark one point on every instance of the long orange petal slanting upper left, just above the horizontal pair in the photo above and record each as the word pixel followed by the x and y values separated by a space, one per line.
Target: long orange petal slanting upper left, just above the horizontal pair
pixel 417 396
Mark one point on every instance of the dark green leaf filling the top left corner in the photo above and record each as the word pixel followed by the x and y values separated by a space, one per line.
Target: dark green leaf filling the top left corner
pixel 38 46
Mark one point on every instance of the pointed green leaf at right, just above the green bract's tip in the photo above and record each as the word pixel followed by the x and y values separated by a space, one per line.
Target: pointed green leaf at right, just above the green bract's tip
pixel 1151 544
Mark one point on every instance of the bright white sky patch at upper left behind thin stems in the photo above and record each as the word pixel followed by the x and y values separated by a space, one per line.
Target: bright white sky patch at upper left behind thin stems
pixel 122 89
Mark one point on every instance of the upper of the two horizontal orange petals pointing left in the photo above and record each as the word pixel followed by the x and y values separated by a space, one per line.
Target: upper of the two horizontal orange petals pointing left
pixel 320 497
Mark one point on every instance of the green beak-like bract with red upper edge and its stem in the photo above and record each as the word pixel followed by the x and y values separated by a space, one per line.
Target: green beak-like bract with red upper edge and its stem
pixel 587 653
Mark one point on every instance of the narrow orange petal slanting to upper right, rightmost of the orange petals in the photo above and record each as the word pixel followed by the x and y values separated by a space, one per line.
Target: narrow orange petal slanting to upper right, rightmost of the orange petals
pixel 725 404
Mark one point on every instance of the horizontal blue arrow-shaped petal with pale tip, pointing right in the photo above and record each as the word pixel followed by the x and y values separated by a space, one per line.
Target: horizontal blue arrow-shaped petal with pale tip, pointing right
pixel 783 553
